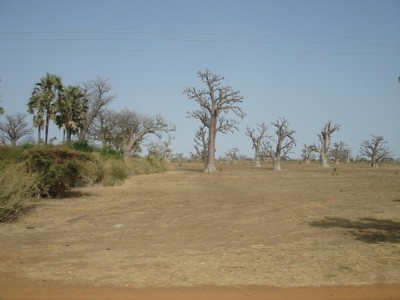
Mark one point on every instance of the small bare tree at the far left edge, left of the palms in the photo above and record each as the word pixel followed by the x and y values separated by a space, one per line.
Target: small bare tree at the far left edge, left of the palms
pixel 14 128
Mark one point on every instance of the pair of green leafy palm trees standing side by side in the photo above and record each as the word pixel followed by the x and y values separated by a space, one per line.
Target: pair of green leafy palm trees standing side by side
pixel 50 100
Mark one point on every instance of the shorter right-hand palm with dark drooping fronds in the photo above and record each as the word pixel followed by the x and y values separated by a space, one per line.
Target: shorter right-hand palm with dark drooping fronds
pixel 70 108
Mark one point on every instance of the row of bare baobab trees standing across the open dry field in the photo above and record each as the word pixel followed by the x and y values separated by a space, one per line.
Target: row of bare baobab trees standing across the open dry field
pixel 216 101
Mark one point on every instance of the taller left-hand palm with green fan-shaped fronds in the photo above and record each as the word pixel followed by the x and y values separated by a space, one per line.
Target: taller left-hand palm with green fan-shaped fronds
pixel 42 102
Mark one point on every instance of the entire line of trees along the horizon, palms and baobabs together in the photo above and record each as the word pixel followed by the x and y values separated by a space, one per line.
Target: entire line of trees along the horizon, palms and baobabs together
pixel 82 111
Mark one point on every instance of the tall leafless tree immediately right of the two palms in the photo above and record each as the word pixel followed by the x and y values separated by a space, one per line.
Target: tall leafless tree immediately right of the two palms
pixel 97 95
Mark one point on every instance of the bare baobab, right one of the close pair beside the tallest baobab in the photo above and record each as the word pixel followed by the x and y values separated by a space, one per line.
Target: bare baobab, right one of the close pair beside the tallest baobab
pixel 284 142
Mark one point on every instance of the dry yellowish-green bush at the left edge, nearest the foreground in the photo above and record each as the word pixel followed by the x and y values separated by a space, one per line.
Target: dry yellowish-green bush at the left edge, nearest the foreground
pixel 17 189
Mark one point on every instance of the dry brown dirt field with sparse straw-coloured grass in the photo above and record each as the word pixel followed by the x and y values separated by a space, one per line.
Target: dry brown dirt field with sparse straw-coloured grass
pixel 243 233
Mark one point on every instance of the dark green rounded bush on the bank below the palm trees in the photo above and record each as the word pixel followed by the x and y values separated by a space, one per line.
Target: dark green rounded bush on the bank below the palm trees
pixel 60 168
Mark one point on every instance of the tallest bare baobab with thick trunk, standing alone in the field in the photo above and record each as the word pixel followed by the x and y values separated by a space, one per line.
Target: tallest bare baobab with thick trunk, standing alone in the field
pixel 215 102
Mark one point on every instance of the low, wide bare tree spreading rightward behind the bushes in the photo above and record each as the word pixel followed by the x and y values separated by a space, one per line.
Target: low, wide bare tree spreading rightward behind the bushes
pixel 131 128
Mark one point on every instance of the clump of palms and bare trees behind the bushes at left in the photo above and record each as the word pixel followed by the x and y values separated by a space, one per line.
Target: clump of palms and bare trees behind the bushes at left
pixel 82 111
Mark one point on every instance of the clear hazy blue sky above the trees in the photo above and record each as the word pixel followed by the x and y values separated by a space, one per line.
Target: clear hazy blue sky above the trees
pixel 309 61
